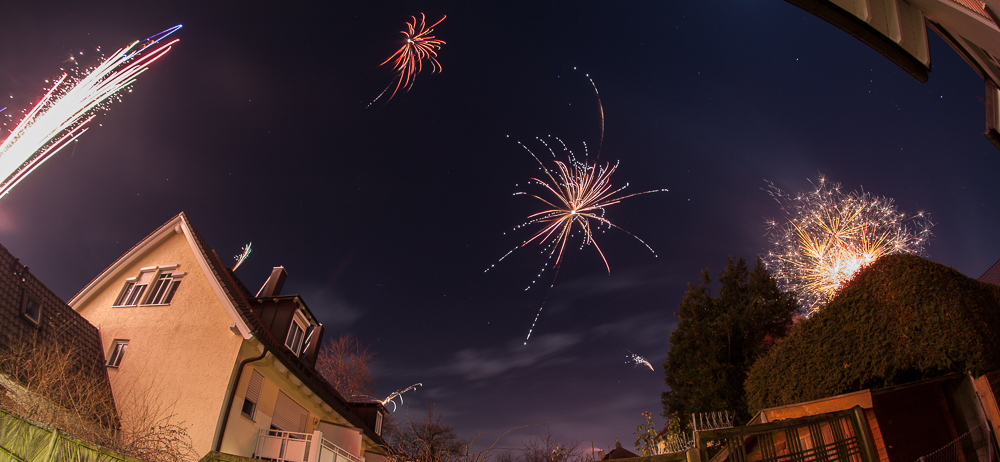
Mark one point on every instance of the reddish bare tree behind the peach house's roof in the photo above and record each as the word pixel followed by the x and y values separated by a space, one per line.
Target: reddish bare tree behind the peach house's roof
pixel 346 364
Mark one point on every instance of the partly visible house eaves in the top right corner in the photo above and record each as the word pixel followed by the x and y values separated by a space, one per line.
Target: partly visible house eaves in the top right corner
pixel 898 30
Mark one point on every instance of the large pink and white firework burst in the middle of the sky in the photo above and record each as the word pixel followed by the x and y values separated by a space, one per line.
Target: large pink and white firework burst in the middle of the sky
pixel 581 193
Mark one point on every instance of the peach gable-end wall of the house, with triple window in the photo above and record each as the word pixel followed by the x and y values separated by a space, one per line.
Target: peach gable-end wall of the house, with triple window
pixel 180 356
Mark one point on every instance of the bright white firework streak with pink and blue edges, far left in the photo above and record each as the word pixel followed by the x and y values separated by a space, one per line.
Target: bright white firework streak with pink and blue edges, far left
pixel 61 116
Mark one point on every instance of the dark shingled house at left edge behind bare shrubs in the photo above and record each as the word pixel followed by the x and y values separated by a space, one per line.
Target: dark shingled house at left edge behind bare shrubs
pixel 33 319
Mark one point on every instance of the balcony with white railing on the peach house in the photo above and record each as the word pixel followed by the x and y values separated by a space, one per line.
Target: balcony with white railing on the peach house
pixel 282 446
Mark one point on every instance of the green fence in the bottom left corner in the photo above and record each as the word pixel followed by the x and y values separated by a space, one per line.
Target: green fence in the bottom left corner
pixel 22 440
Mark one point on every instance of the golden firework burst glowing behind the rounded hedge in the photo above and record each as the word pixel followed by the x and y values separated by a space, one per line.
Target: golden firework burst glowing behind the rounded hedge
pixel 830 235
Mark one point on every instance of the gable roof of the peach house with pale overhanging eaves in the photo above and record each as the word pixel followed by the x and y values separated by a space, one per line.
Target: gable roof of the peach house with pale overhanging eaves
pixel 234 296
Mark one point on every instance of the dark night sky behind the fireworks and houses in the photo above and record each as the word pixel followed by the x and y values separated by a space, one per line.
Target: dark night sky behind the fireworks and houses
pixel 256 126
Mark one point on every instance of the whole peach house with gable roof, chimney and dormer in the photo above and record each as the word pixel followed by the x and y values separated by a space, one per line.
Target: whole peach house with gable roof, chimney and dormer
pixel 238 369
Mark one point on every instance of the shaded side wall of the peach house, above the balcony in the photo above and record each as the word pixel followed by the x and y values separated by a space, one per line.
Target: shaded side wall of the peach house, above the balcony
pixel 241 433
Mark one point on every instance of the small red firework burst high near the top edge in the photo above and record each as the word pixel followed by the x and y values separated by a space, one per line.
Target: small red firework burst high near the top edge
pixel 409 59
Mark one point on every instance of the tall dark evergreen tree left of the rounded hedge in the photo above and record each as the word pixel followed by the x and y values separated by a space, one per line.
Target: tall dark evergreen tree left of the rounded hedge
pixel 717 339
